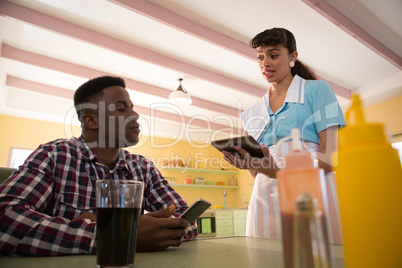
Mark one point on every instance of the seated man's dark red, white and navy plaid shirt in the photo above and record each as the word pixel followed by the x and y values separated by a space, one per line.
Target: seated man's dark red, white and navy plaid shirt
pixel 58 179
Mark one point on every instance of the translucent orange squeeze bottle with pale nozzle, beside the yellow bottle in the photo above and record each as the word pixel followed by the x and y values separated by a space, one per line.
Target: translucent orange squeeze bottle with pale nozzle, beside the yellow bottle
pixel 299 175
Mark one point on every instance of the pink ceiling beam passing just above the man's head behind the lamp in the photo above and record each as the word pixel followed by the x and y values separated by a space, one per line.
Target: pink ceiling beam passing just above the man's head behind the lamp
pixel 82 71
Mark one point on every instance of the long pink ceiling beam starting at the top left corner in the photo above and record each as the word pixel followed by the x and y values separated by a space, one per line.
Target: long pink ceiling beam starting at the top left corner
pixel 101 40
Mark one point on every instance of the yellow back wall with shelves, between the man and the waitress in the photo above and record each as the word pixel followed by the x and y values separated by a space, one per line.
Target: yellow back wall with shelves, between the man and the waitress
pixel 200 156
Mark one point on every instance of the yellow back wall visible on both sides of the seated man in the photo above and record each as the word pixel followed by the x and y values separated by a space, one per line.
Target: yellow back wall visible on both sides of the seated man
pixel 28 133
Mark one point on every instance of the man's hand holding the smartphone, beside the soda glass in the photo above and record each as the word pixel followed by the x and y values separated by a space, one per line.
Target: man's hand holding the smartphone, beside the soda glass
pixel 157 231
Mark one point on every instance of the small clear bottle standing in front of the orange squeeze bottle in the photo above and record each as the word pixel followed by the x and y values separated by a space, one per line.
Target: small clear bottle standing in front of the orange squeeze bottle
pixel 309 245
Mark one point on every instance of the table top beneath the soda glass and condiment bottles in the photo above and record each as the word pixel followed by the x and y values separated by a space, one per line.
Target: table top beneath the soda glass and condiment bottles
pixel 212 252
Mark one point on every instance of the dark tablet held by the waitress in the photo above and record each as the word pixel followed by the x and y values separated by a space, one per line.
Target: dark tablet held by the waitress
pixel 248 143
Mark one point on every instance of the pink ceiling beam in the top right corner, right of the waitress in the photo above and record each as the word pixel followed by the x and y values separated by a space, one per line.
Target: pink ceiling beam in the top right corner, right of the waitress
pixel 339 19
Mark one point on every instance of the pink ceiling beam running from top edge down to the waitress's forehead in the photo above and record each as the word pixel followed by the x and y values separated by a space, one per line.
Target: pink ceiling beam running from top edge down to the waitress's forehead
pixel 176 21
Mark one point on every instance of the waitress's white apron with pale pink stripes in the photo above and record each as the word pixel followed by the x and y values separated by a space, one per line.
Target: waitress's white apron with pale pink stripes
pixel 263 217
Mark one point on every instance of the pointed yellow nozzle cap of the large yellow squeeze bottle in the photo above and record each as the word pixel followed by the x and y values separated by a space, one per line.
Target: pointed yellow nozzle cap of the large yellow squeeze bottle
pixel 357 130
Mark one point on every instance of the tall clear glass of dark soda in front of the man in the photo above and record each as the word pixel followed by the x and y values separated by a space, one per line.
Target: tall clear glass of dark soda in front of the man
pixel 118 207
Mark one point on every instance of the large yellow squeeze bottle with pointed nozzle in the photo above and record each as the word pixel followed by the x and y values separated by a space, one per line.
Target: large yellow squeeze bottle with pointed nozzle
pixel 369 185
